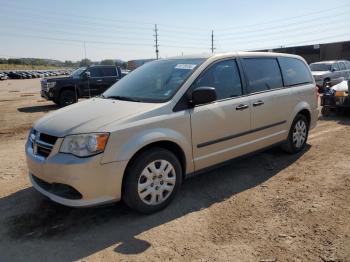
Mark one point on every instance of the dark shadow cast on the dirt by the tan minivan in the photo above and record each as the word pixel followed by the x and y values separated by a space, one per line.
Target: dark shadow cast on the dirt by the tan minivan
pixel 43 230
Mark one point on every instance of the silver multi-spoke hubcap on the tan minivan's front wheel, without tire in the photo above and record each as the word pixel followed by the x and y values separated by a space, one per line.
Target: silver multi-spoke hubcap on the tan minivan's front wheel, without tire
pixel 156 182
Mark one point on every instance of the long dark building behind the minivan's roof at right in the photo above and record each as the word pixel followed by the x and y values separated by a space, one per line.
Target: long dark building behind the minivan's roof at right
pixel 318 52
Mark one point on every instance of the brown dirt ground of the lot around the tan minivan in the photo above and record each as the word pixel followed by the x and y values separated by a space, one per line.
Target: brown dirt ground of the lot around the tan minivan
pixel 267 207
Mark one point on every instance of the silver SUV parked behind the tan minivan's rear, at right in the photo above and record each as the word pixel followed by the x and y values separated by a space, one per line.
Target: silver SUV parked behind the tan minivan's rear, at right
pixel 329 71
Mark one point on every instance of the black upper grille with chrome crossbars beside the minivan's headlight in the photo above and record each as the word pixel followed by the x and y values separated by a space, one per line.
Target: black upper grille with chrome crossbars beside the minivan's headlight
pixel 42 144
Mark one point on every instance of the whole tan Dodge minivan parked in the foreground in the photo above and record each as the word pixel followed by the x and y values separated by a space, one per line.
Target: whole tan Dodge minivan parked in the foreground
pixel 166 120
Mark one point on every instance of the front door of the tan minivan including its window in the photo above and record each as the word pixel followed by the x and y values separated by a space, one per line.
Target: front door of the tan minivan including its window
pixel 219 129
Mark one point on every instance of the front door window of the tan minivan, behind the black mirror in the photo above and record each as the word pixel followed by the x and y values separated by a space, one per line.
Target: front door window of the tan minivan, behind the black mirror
pixel 224 77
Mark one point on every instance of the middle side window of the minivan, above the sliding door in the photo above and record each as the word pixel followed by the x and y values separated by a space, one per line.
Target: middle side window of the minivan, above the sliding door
pixel 262 73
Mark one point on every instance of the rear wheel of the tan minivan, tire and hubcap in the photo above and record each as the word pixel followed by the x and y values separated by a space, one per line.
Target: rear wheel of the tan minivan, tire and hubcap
pixel 297 136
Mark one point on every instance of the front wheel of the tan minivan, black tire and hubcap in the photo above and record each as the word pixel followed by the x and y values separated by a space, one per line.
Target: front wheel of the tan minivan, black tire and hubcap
pixel 146 188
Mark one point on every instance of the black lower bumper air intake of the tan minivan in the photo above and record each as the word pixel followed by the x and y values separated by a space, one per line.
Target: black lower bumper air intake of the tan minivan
pixel 59 189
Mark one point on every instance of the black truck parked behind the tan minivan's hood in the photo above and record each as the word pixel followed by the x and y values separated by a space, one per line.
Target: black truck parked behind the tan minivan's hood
pixel 83 82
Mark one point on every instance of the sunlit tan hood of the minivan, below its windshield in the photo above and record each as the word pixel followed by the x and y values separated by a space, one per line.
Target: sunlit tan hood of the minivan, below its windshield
pixel 90 116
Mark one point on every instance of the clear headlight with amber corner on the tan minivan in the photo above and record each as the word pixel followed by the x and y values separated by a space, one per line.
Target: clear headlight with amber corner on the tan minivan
pixel 84 144
